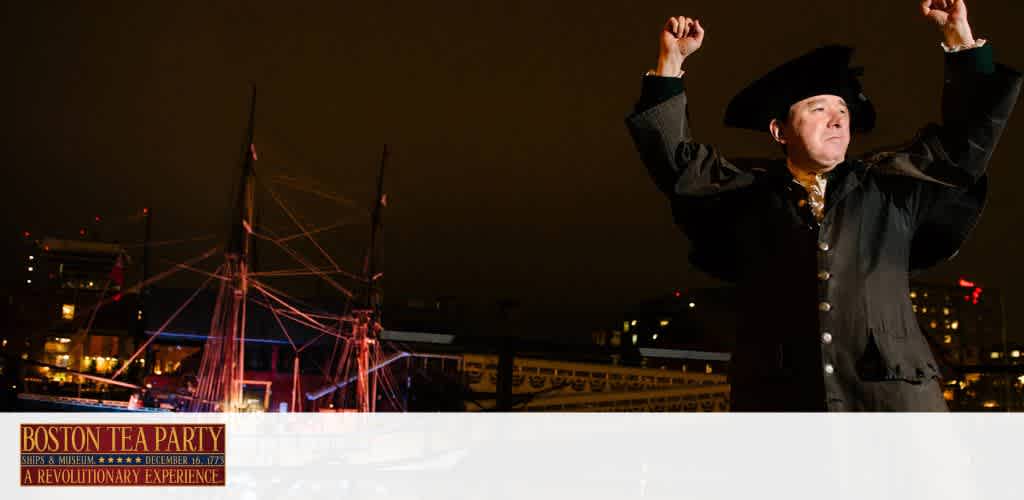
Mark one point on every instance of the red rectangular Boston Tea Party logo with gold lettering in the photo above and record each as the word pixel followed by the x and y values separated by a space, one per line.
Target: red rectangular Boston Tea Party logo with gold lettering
pixel 122 454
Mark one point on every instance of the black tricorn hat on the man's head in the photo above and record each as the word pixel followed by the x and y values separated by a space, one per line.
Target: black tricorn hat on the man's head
pixel 823 71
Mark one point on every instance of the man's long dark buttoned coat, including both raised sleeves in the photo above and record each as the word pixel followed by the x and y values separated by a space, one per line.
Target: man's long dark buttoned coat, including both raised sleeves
pixel 828 320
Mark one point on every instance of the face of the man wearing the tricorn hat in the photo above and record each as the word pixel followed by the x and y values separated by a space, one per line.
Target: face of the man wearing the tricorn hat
pixel 818 133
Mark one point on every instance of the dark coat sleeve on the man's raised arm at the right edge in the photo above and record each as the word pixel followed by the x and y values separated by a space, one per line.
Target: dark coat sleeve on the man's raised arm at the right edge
pixel 949 162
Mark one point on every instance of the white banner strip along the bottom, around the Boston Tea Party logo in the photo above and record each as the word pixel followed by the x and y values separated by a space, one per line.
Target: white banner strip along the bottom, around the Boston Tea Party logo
pixel 585 456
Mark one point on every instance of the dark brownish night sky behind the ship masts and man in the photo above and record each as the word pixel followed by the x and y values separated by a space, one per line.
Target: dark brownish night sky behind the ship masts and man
pixel 513 175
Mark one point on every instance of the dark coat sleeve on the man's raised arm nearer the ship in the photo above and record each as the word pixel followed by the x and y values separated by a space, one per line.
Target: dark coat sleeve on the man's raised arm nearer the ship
pixel 695 177
